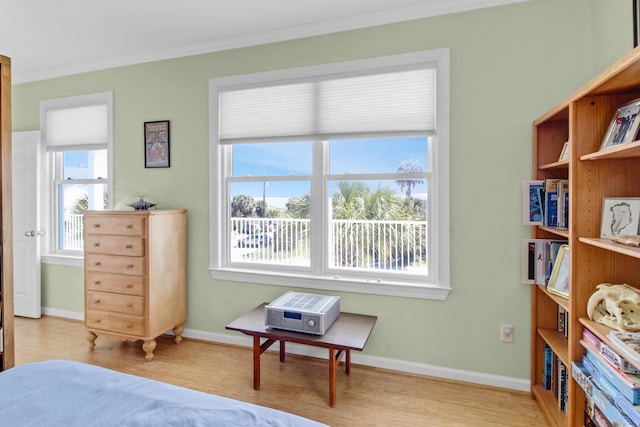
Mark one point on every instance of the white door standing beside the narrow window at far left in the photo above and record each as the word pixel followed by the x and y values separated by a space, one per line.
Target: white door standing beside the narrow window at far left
pixel 26 223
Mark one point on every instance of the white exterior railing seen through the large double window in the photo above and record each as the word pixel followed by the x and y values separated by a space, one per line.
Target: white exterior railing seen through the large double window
pixel 353 244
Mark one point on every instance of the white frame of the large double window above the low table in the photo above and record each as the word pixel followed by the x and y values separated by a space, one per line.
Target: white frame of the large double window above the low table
pixel 439 285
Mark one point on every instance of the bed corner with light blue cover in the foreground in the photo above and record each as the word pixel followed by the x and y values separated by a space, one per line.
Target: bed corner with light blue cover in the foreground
pixel 65 393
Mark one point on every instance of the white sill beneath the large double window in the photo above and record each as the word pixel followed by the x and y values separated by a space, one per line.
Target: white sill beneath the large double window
pixel 345 284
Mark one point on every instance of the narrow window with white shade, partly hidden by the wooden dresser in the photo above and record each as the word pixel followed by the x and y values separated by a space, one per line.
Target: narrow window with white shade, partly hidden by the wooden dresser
pixel 77 133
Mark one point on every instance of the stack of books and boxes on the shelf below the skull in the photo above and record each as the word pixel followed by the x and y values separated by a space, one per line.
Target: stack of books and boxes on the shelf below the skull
pixel 611 384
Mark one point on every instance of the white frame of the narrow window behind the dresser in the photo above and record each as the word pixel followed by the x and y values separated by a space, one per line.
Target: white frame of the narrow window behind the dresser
pixel 50 253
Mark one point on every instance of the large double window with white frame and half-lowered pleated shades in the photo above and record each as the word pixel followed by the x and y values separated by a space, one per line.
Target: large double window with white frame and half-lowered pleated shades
pixel 334 177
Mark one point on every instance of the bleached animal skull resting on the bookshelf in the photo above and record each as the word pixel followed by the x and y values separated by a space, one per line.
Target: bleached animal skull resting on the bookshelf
pixel 616 306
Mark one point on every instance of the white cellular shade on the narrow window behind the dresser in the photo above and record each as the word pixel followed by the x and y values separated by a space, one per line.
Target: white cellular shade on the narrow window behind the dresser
pixel 83 121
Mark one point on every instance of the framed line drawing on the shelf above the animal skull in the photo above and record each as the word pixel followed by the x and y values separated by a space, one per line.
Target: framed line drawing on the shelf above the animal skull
pixel 620 216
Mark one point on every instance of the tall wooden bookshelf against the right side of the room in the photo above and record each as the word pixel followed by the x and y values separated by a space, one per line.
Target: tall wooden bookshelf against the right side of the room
pixel 593 174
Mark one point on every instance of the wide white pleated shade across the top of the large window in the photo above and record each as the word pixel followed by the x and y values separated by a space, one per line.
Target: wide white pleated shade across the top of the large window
pixel 337 106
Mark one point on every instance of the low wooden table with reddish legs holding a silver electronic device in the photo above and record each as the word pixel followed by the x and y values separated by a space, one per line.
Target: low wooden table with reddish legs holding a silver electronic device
pixel 348 332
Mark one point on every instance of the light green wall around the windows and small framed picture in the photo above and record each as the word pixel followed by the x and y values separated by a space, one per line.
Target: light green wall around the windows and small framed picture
pixel 508 65
